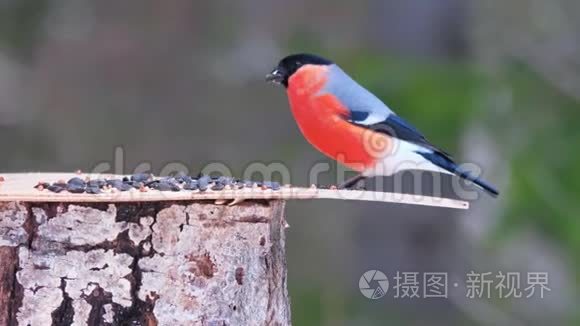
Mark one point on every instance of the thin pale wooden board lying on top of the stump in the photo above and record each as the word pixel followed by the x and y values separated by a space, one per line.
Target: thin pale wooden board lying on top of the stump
pixel 20 187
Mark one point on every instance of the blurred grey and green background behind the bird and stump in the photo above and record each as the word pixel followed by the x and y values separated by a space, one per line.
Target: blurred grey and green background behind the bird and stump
pixel 494 82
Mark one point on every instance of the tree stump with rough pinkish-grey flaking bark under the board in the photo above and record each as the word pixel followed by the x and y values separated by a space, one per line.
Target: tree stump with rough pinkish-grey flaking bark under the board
pixel 160 263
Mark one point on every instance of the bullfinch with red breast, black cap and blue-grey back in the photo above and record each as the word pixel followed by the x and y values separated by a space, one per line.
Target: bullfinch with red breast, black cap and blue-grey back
pixel 351 125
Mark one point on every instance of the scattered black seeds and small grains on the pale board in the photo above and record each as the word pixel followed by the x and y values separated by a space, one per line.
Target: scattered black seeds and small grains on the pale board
pixel 145 182
